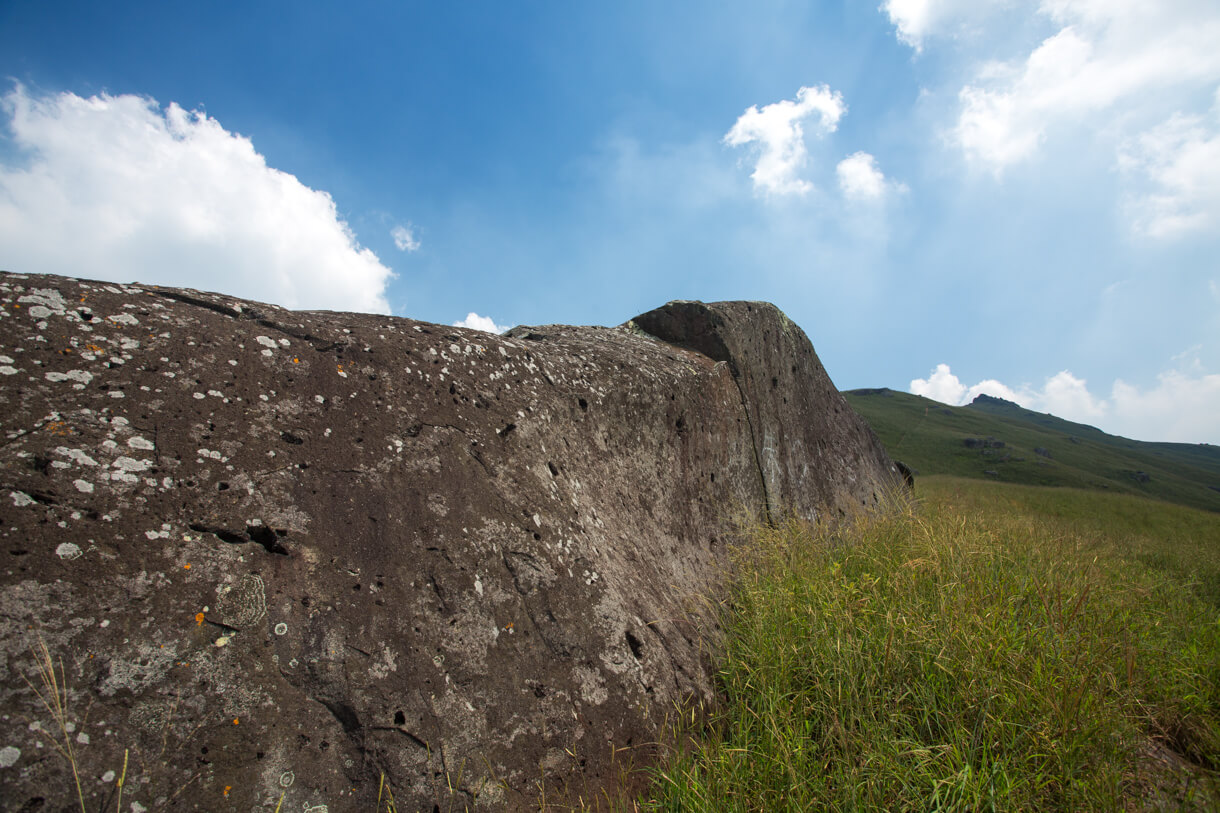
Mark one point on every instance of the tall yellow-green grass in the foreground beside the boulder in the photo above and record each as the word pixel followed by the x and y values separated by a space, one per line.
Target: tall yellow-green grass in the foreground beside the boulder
pixel 992 649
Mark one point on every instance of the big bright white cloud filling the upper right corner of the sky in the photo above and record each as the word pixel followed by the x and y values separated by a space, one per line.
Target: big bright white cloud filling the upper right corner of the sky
pixel 1110 65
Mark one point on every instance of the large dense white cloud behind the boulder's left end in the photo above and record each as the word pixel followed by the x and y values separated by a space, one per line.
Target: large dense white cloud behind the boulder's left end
pixel 118 189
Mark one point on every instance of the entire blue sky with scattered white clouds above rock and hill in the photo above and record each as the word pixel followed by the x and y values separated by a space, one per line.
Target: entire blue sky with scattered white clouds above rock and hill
pixel 951 197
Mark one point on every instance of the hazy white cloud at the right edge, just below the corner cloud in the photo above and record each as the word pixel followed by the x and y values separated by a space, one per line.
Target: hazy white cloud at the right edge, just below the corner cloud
pixel 1182 161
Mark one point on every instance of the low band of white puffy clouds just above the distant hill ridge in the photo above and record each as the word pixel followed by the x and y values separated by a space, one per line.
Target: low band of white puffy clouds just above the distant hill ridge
pixel 1180 407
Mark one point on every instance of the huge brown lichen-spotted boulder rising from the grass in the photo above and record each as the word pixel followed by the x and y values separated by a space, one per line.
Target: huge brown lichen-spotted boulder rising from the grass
pixel 287 554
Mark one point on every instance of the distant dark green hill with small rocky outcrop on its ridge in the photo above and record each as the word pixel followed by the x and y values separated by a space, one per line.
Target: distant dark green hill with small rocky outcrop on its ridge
pixel 997 440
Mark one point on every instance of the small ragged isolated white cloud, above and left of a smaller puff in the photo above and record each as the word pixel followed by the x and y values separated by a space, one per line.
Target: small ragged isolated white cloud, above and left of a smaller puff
pixel 781 139
